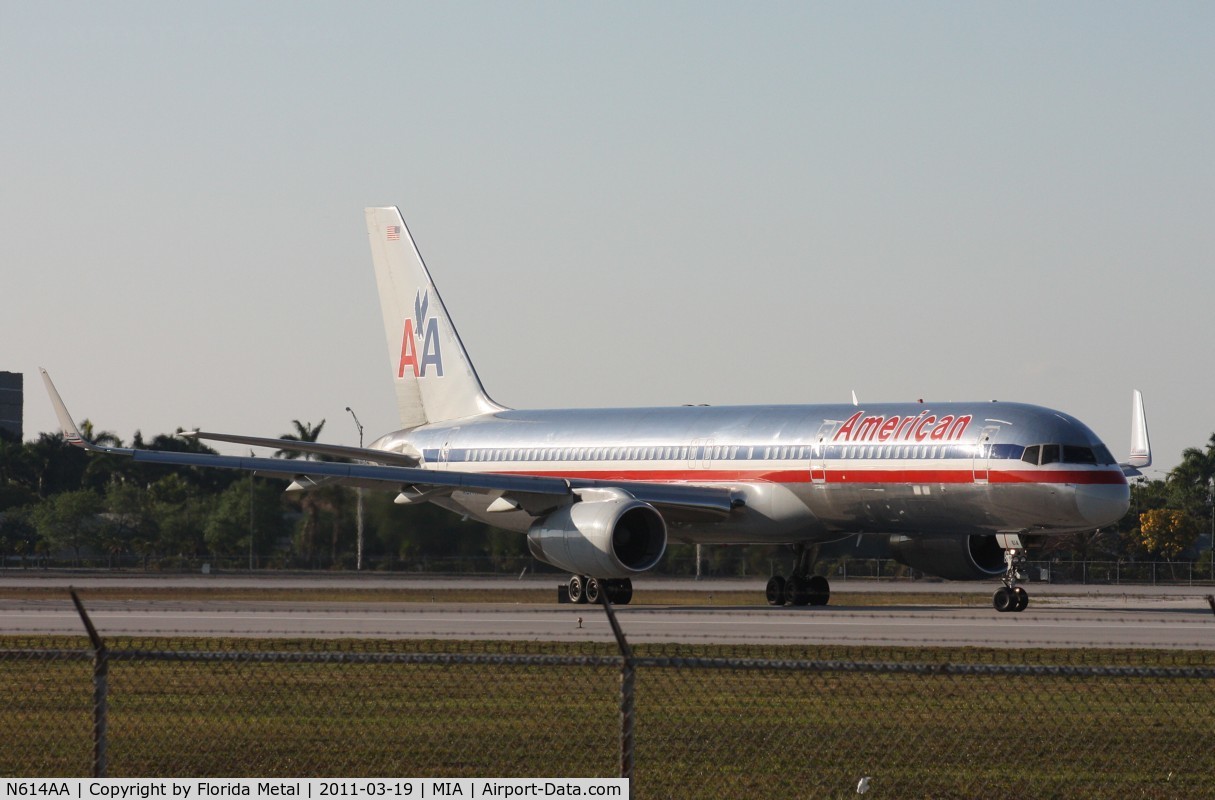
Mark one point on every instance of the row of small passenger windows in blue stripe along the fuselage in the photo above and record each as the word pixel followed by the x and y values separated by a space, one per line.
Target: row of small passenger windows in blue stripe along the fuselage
pixel 699 454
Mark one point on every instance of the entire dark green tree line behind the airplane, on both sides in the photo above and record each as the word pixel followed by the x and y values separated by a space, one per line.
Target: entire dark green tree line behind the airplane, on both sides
pixel 65 506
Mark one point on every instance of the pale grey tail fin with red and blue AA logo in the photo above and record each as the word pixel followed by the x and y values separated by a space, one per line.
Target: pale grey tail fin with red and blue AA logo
pixel 433 375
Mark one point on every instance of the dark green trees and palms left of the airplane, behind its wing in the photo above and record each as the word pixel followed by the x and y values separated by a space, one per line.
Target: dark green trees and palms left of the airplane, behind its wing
pixel 65 506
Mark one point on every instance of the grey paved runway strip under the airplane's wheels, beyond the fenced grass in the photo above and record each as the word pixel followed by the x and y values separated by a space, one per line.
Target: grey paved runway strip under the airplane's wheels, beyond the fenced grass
pixel 1174 618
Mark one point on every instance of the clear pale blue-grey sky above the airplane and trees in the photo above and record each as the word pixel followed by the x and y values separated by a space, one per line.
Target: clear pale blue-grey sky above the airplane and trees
pixel 624 204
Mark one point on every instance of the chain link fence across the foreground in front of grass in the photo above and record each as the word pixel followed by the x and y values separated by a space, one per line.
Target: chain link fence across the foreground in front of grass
pixel 682 722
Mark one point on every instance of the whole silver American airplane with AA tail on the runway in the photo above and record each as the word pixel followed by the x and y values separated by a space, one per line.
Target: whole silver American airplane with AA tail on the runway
pixel 956 488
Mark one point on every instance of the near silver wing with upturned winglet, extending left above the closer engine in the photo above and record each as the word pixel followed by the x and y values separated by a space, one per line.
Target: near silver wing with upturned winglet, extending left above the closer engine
pixel 536 495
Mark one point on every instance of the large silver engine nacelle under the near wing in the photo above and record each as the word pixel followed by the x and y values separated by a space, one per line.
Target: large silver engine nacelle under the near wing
pixel 614 536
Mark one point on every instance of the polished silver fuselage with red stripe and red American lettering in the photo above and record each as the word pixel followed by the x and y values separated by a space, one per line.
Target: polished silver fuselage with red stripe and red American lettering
pixel 809 474
